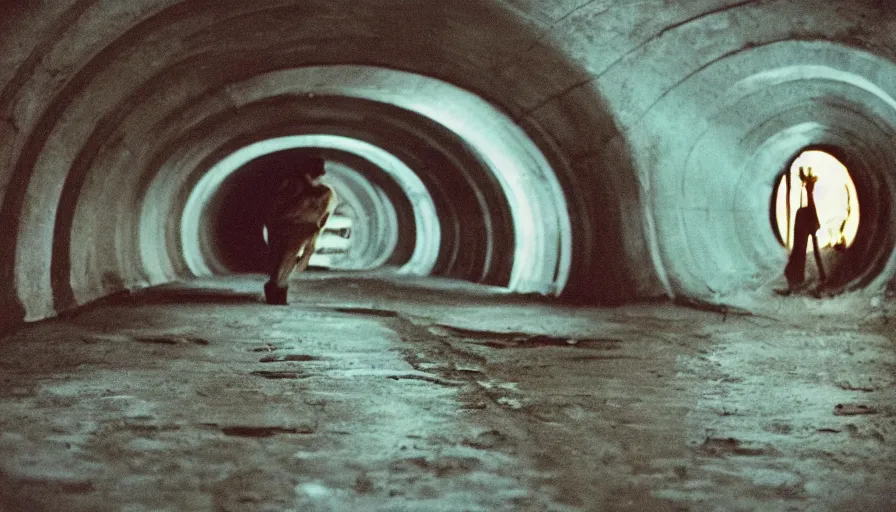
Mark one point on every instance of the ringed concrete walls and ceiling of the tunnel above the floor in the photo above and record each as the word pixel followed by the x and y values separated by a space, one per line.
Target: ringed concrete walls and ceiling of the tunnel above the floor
pixel 600 151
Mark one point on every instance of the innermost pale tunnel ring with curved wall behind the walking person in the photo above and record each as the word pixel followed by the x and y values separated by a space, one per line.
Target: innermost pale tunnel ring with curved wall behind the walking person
pixel 419 234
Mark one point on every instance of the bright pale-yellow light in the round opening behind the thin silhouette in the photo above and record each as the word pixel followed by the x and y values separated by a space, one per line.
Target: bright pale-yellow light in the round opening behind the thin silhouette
pixel 836 200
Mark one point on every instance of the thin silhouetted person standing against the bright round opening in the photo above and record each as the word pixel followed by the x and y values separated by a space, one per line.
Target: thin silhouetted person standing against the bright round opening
pixel 806 226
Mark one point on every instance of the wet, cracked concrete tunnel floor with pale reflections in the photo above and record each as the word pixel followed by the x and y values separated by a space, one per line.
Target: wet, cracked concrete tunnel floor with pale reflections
pixel 377 392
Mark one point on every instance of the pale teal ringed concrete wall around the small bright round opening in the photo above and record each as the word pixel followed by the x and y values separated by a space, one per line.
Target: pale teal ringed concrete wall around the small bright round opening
pixel 711 204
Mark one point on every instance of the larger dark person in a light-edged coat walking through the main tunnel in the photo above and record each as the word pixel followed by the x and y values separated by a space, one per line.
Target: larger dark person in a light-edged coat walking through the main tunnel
pixel 298 212
